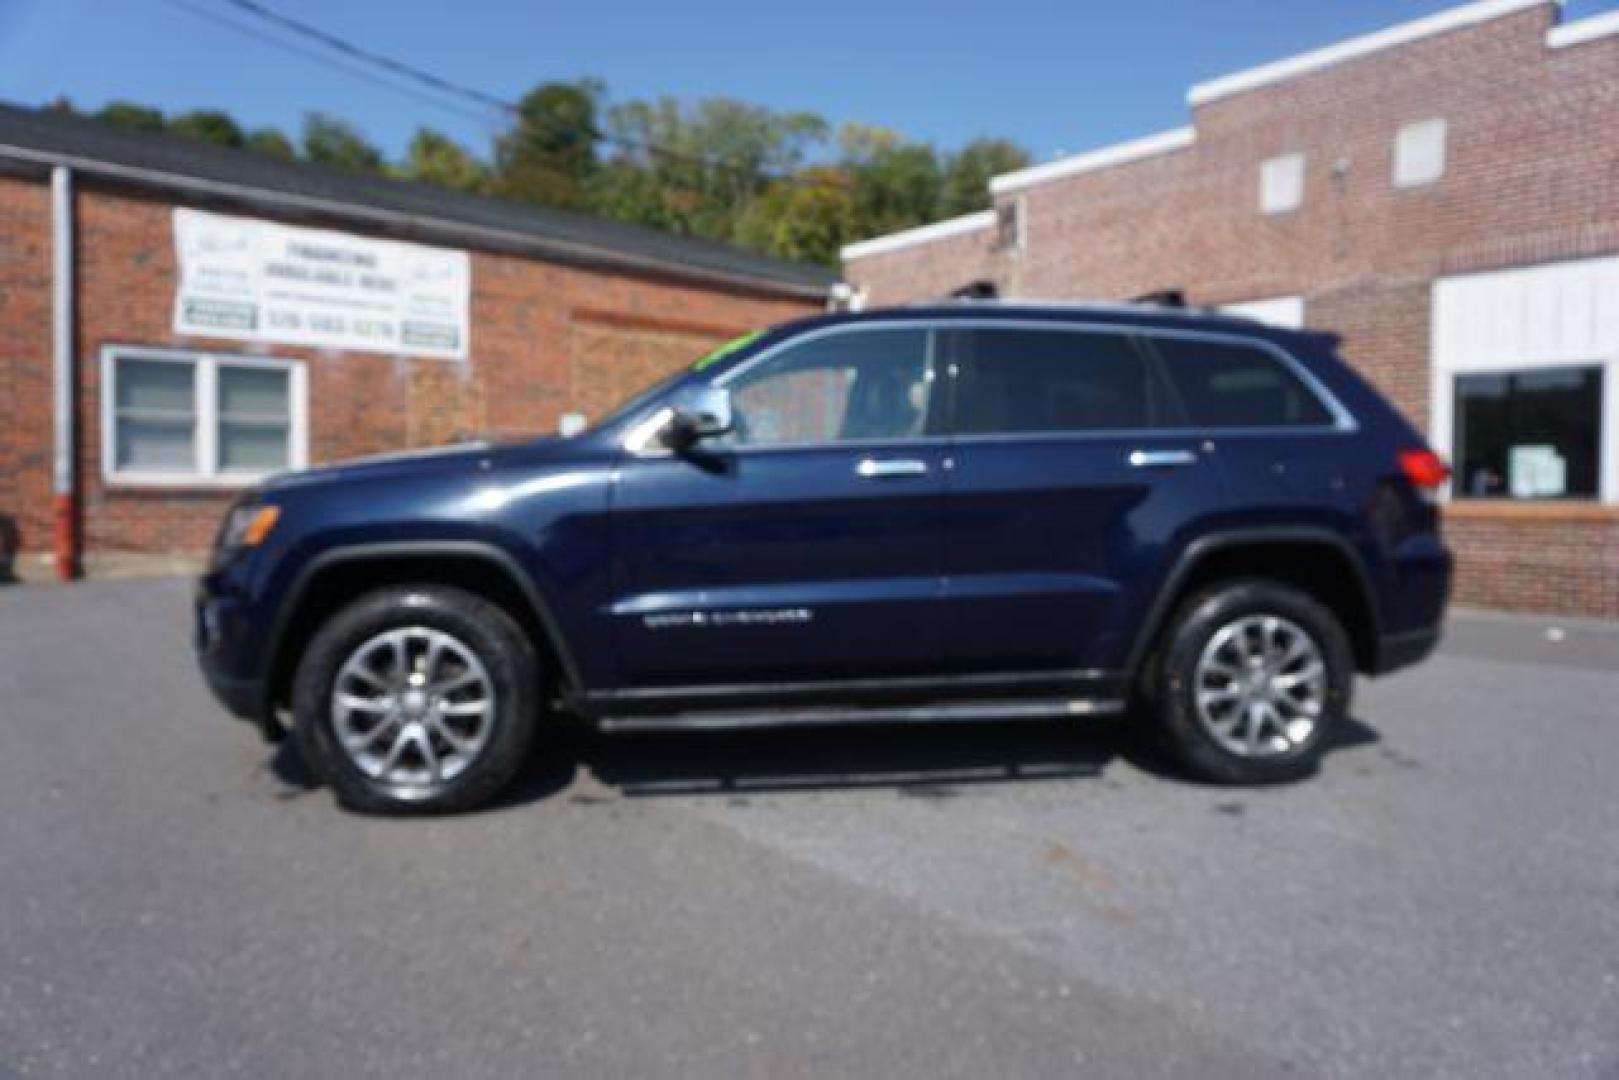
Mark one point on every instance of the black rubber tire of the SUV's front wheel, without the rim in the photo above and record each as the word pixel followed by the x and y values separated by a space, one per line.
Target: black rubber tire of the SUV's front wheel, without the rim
pixel 482 627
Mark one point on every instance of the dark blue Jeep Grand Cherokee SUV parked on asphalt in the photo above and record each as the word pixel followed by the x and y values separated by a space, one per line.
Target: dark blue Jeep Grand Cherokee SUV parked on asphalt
pixel 962 511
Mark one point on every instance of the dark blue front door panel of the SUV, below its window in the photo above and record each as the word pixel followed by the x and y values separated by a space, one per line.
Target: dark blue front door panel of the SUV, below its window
pixel 776 568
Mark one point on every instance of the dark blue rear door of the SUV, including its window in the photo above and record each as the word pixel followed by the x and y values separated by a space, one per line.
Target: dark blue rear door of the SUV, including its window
pixel 1056 522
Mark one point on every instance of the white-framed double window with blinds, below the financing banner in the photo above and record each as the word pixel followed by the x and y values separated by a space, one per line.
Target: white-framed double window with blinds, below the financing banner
pixel 184 419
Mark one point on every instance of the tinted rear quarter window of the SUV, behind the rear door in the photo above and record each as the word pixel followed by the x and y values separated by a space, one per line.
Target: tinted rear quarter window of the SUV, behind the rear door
pixel 1238 386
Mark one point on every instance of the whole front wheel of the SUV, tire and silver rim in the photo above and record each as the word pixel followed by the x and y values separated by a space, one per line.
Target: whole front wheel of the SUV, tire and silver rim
pixel 417 700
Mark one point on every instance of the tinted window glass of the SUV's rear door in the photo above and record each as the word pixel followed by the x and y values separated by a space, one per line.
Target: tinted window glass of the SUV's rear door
pixel 1052 381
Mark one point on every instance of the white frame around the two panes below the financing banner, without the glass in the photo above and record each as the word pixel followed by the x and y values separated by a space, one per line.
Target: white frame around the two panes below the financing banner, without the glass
pixel 205 388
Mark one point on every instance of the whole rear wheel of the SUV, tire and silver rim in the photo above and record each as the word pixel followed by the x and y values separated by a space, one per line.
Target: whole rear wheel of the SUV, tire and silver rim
pixel 1254 681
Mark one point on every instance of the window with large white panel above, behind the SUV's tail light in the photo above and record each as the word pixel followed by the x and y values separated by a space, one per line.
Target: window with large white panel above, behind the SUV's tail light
pixel 1526 383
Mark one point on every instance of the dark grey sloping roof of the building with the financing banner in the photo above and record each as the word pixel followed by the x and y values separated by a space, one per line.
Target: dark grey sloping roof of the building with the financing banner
pixel 206 174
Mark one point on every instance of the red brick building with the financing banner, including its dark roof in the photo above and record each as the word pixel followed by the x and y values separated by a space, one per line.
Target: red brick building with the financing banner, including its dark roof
pixel 200 317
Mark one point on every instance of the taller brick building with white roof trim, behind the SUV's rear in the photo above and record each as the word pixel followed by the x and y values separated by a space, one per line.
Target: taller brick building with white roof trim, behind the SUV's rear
pixel 1443 193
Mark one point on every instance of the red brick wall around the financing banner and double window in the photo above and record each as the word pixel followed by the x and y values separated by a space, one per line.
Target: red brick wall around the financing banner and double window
pixel 521 380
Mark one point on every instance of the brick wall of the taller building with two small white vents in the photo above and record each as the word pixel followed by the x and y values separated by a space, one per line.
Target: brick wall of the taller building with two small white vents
pixel 1532 176
